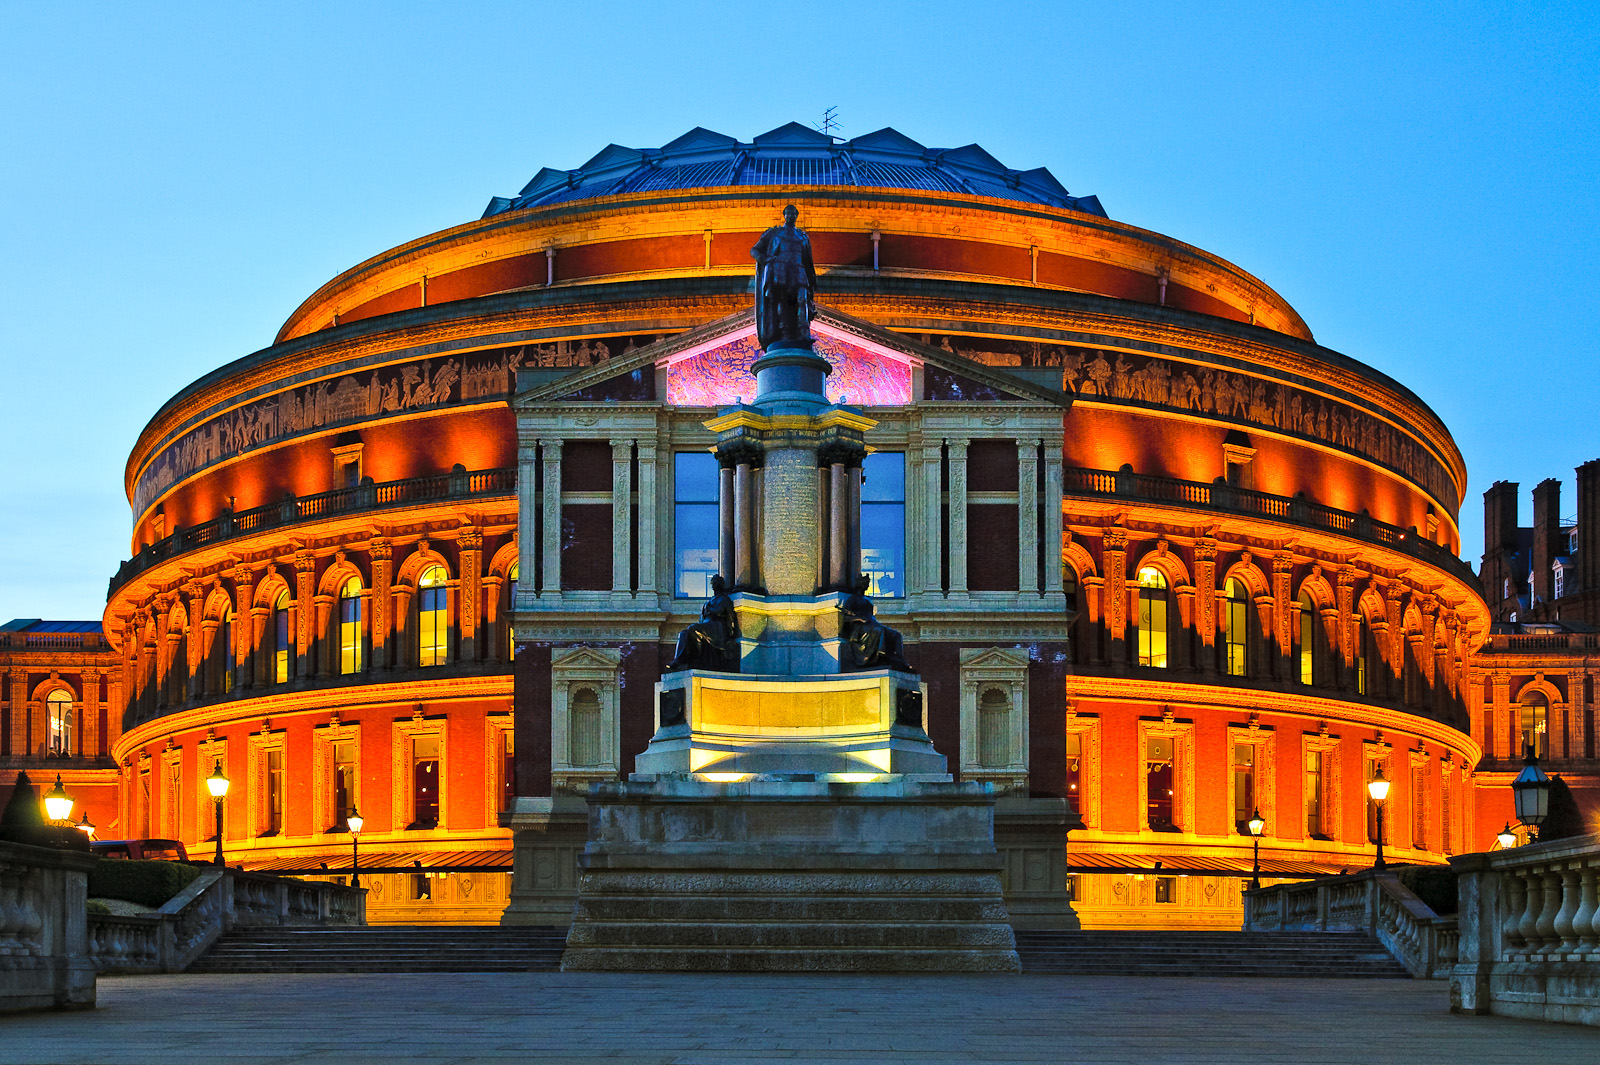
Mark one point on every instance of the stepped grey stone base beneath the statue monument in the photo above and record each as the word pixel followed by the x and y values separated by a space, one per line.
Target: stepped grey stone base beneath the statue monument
pixel 783 876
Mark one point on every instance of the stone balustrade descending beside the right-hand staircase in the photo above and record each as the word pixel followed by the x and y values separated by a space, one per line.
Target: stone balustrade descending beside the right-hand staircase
pixel 1425 943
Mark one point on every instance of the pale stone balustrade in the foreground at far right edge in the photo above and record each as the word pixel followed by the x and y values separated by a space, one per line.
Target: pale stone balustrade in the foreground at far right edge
pixel 1530 933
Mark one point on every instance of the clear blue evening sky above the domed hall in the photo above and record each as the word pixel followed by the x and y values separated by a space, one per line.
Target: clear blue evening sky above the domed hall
pixel 1417 180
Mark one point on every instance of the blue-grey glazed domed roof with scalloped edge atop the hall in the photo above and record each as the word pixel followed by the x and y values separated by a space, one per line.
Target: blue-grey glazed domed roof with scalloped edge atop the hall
pixel 794 156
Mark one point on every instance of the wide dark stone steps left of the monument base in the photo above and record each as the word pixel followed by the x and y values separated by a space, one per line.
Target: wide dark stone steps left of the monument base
pixel 386 949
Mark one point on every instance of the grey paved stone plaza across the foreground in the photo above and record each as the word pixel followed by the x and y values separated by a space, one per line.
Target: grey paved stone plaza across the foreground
pixel 690 1019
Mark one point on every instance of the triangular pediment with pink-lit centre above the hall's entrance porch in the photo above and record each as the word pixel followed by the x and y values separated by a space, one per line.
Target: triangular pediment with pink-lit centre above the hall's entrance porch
pixel 710 367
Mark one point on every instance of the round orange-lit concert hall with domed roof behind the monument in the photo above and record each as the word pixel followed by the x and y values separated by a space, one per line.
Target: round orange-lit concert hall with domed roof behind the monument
pixel 1158 556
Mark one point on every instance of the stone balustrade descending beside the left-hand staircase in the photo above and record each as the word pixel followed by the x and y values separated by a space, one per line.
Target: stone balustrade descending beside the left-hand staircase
pixel 174 938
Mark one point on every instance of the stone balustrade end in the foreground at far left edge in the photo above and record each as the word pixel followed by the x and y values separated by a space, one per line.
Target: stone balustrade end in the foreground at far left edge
pixel 44 933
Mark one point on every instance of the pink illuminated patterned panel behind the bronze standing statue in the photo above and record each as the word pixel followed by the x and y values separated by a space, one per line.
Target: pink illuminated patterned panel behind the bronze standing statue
pixel 721 375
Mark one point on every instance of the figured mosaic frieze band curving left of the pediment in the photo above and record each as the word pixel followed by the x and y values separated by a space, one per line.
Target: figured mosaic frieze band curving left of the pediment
pixel 428 383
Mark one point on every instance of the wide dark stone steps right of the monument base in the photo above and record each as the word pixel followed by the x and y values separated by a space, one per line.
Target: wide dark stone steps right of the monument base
pixel 1324 955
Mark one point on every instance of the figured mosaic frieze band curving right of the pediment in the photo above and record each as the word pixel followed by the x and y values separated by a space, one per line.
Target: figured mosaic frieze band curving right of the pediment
pixel 1151 381
